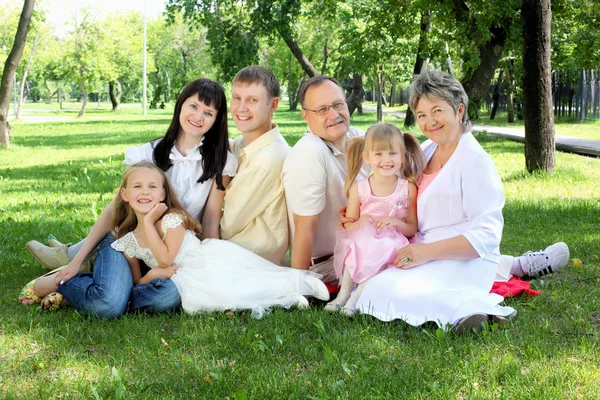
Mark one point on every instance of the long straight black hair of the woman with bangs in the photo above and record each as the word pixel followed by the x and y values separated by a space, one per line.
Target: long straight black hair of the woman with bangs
pixel 216 140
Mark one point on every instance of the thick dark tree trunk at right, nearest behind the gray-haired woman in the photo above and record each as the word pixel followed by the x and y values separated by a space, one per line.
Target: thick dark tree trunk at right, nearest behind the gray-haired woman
pixel 536 17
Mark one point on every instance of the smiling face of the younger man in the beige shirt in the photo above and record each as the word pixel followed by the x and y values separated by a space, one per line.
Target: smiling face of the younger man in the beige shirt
pixel 252 108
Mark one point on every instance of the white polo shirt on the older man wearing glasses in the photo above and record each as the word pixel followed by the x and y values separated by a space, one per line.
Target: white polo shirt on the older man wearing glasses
pixel 313 176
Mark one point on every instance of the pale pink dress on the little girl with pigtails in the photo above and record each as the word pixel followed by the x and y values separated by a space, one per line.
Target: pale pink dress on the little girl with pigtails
pixel 364 249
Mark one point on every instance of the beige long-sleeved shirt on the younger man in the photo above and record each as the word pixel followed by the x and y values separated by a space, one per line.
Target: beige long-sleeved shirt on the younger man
pixel 255 212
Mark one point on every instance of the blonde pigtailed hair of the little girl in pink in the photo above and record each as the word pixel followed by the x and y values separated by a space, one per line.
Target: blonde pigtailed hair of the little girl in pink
pixel 385 136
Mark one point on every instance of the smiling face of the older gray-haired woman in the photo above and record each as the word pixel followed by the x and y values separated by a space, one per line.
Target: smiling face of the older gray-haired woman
pixel 438 120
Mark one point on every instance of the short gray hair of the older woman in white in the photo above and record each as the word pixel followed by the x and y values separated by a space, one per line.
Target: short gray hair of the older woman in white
pixel 438 84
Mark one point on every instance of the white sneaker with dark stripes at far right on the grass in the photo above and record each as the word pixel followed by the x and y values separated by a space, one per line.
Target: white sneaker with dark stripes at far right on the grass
pixel 536 264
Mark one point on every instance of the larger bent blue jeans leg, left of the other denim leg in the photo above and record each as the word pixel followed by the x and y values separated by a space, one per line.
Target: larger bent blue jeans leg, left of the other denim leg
pixel 105 291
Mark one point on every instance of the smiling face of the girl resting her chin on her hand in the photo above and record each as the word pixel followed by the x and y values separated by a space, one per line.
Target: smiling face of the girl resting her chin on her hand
pixel 144 189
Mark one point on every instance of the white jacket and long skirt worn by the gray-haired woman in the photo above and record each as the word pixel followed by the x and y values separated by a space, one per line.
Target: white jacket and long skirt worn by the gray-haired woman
pixel 465 198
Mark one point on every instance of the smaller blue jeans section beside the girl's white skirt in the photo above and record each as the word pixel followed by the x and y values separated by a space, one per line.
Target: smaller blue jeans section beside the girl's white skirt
pixel 160 295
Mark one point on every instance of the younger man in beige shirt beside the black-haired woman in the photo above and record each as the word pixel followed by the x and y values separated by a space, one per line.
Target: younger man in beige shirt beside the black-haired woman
pixel 255 213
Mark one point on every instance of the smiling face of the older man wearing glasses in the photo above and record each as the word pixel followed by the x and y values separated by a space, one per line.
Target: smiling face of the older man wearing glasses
pixel 334 125
